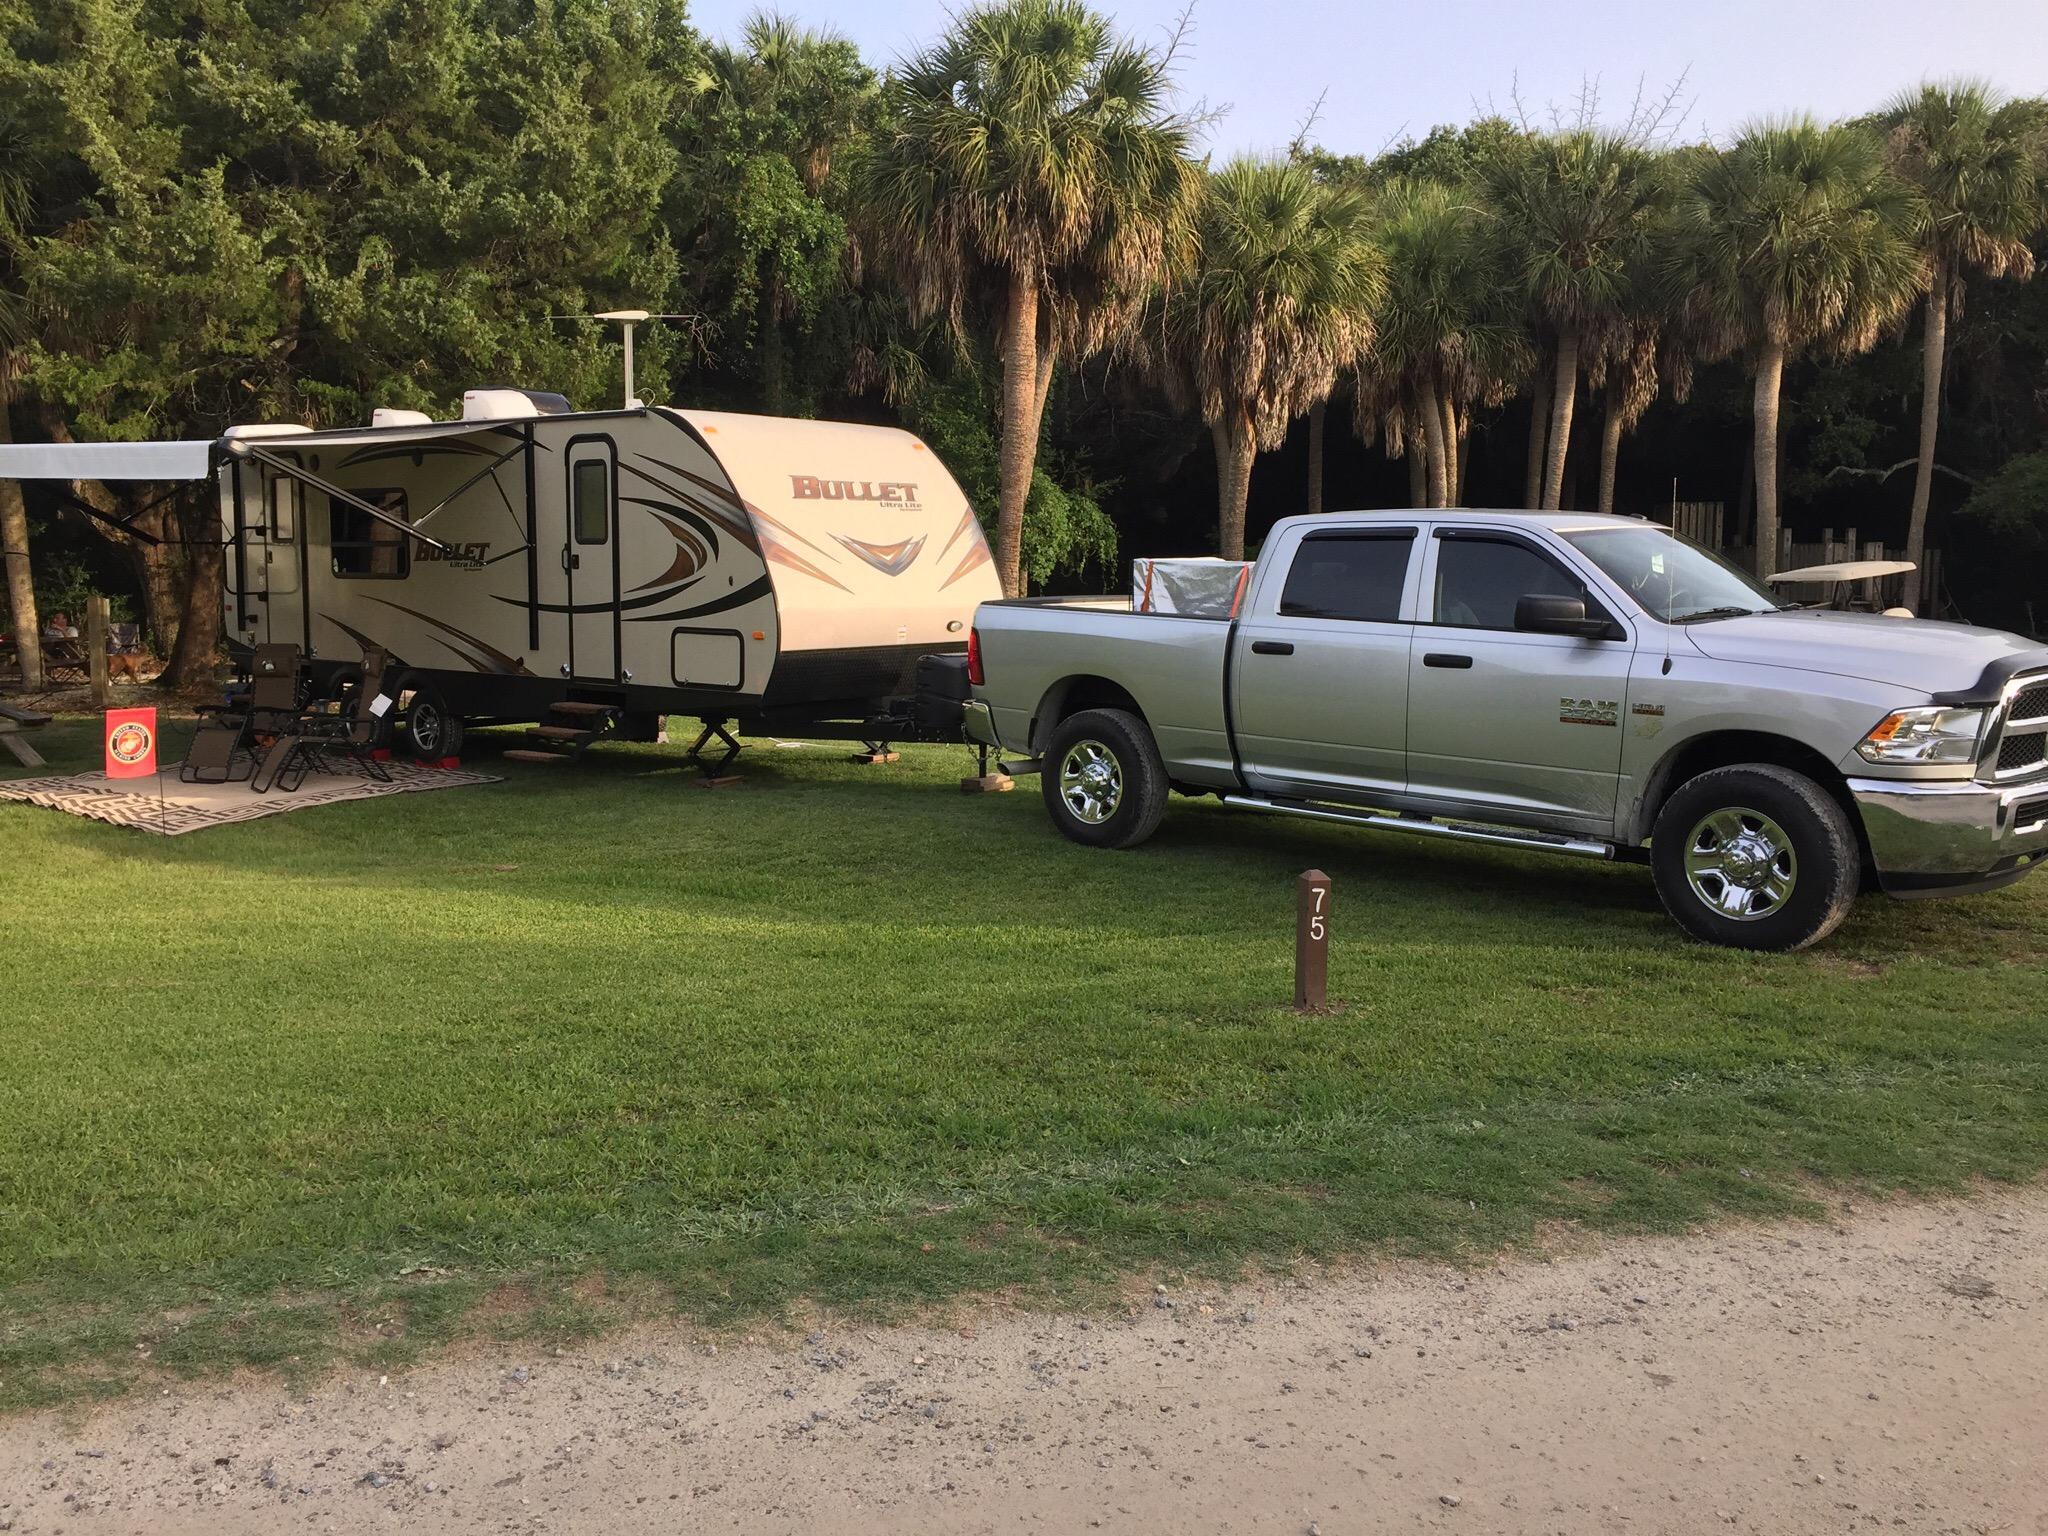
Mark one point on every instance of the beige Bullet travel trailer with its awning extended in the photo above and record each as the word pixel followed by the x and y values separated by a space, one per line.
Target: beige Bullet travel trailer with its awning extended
pixel 593 570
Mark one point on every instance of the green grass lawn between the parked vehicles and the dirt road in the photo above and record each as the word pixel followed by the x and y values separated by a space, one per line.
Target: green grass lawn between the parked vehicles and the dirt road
pixel 523 1056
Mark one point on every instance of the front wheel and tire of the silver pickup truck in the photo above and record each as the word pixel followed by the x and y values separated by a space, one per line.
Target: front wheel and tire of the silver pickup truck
pixel 1756 857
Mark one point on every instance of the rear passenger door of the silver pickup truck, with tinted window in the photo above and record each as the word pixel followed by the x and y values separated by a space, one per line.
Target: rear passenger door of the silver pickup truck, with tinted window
pixel 1320 685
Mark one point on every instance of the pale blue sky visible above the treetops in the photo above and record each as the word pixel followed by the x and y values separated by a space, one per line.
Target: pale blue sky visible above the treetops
pixel 1398 71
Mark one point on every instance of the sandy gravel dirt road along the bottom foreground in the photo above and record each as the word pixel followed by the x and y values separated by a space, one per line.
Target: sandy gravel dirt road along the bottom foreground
pixel 1881 1371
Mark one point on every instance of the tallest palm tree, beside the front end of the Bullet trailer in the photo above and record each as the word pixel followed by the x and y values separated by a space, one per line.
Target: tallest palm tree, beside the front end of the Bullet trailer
pixel 1031 163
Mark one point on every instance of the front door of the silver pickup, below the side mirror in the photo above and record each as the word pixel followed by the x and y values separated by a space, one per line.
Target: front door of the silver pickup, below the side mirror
pixel 1500 718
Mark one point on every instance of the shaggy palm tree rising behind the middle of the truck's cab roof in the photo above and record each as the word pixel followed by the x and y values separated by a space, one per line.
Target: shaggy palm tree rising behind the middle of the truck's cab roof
pixel 1449 335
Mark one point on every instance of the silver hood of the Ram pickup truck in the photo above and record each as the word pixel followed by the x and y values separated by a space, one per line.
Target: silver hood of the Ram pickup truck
pixel 1914 654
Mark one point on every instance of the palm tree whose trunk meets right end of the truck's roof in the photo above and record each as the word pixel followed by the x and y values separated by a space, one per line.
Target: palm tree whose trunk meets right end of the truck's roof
pixel 1578 210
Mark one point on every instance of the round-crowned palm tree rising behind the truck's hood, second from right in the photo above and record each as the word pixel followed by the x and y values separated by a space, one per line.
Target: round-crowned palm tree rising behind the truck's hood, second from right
pixel 1793 241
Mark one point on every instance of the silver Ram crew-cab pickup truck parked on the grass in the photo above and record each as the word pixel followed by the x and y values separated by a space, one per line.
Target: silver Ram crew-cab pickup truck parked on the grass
pixel 1582 685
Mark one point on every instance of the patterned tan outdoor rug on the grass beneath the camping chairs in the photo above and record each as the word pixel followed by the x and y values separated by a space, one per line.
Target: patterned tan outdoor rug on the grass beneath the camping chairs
pixel 171 808
